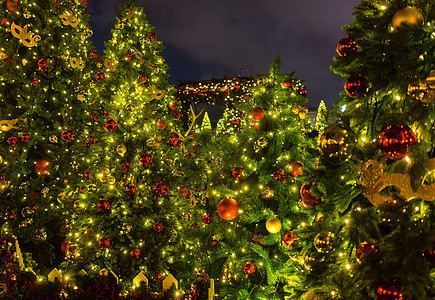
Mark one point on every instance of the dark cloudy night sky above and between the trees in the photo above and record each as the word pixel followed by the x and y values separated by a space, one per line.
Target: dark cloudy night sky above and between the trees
pixel 207 39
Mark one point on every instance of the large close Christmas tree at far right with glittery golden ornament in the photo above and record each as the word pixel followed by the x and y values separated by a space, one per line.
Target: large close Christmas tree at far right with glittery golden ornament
pixel 372 235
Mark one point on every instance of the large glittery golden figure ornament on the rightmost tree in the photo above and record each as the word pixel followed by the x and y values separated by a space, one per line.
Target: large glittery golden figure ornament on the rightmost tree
pixel 373 180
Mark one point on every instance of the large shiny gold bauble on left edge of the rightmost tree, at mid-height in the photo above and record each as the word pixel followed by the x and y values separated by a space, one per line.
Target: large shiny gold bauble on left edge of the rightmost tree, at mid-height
pixel 333 143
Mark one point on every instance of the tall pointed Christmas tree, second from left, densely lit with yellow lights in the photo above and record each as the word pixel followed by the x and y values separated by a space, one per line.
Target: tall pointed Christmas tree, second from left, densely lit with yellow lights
pixel 127 200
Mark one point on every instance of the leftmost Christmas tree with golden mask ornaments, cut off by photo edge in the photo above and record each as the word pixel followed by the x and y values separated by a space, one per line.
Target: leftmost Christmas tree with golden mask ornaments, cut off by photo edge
pixel 45 104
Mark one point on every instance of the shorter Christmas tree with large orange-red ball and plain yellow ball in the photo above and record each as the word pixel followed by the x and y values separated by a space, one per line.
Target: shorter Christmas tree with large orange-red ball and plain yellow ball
pixel 249 195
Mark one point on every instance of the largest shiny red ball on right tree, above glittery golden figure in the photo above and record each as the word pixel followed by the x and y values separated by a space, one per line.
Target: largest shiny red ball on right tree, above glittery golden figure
pixel 395 140
